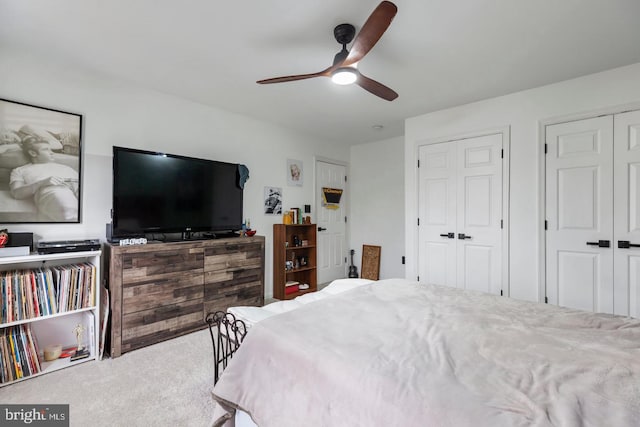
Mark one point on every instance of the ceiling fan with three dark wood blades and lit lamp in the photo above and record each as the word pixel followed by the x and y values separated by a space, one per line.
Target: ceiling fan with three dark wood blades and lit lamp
pixel 344 71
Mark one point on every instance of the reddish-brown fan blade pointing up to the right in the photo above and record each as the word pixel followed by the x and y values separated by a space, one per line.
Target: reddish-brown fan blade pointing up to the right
pixel 371 31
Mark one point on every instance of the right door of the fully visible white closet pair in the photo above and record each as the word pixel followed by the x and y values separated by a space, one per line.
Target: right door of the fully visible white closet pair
pixel 479 194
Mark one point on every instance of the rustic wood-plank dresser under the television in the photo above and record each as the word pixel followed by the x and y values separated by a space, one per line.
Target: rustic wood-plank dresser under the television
pixel 160 291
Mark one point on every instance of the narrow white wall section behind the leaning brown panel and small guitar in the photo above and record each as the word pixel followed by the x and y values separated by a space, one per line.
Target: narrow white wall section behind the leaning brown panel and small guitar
pixel 377 203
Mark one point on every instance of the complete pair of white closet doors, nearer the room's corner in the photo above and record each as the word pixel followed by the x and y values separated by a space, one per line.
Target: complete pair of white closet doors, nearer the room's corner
pixel 460 211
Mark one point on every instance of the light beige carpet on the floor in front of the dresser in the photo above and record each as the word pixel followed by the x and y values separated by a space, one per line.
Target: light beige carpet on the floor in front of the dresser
pixel 167 384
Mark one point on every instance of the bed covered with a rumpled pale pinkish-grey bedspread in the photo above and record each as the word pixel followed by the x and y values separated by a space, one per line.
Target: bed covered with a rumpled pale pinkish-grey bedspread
pixel 400 353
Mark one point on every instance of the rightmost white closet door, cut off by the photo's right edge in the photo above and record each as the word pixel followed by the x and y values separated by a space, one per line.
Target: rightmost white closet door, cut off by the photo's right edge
pixel 627 214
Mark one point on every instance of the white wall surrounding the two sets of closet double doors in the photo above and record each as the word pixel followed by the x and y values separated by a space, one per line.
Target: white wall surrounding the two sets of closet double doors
pixel 523 112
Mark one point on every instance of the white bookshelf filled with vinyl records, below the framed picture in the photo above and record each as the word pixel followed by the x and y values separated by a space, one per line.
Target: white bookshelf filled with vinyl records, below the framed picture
pixel 44 298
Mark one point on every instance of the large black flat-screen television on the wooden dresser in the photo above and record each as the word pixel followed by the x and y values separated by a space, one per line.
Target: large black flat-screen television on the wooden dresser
pixel 166 193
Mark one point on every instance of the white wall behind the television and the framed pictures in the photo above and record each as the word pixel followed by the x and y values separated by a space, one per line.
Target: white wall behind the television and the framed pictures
pixel 118 113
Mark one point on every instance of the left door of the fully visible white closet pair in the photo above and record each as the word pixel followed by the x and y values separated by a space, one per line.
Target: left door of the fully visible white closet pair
pixel 437 213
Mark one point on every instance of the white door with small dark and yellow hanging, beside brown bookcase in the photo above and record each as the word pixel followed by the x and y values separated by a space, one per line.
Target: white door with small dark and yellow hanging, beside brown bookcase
pixel 331 237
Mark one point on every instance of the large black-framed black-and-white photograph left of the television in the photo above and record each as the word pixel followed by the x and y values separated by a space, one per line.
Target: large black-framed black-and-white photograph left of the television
pixel 40 164
